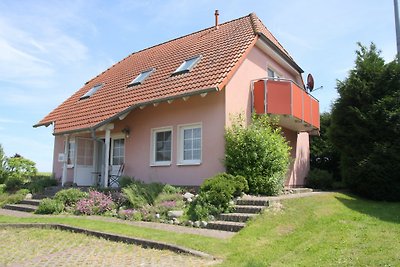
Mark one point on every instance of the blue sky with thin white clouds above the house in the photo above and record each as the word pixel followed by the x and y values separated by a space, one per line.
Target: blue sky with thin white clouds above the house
pixel 49 49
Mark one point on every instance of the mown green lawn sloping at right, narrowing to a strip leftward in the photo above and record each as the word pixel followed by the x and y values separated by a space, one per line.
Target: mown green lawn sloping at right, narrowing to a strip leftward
pixel 324 230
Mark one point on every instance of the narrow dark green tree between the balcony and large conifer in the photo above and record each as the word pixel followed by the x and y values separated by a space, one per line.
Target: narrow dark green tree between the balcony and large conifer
pixel 324 155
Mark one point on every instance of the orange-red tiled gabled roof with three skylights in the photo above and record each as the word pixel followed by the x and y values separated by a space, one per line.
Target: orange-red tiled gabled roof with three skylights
pixel 221 50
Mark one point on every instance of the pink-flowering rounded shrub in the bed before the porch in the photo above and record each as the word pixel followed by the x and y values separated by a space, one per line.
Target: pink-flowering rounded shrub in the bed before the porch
pixel 96 203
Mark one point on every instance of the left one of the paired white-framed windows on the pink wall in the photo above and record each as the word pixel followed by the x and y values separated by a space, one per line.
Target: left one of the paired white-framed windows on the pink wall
pixel 162 146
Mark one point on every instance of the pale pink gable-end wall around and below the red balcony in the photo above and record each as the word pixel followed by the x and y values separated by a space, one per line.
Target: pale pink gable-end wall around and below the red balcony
pixel 238 100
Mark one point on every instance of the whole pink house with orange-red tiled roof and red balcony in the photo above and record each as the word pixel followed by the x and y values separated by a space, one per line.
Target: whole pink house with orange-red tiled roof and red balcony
pixel 161 112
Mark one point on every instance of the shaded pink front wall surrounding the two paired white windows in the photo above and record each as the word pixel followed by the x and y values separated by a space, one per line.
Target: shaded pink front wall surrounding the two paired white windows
pixel 208 110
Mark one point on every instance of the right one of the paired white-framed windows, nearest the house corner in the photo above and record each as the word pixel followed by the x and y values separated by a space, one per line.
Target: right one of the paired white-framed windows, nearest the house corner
pixel 190 144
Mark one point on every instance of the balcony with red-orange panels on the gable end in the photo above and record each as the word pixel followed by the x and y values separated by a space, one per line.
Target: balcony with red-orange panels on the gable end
pixel 296 109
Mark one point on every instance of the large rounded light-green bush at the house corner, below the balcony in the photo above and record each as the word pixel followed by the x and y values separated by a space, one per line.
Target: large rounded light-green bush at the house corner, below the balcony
pixel 258 152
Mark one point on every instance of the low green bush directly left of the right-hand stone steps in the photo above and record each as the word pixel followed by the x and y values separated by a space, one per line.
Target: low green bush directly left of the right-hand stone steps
pixel 215 195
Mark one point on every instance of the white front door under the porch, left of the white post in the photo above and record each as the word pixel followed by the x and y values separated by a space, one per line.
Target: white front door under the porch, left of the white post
pixel 84 167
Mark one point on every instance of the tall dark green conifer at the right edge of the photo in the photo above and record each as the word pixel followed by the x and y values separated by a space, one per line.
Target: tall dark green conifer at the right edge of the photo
pixel 365 126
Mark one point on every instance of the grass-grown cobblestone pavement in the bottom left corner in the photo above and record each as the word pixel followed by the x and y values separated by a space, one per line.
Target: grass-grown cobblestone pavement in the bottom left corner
pixel 41 247
